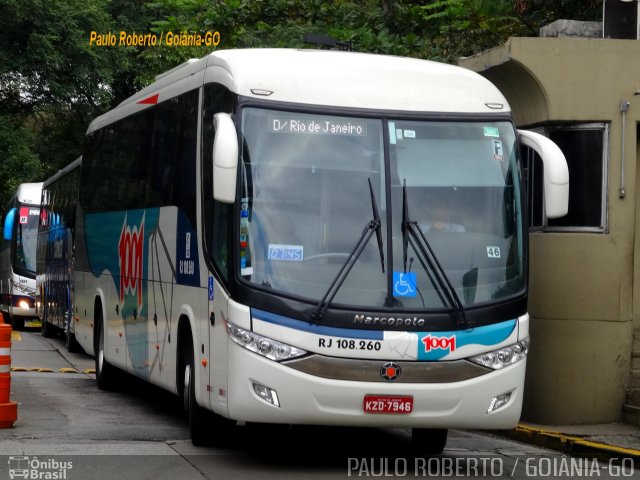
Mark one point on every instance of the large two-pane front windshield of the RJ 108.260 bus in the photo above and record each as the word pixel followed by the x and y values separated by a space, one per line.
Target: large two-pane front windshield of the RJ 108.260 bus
pixel 306 199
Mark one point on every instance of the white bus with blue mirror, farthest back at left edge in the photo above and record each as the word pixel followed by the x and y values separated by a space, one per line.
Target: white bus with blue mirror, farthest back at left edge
pixel 18 254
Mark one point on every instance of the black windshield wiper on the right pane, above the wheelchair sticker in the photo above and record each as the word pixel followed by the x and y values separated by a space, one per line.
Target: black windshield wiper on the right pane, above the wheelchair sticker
pixel 412 234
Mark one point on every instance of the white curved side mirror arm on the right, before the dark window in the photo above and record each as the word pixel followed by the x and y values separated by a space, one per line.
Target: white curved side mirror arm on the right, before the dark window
pixel 556 172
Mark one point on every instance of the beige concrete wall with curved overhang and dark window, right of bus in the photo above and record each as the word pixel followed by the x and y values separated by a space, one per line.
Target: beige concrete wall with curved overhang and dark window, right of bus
pixel 582 284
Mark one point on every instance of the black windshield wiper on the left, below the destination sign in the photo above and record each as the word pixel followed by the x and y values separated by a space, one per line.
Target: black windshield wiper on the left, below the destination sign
pixel 373 225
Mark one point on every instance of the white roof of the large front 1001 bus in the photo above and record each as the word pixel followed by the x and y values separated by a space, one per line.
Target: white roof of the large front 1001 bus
pixel 326 78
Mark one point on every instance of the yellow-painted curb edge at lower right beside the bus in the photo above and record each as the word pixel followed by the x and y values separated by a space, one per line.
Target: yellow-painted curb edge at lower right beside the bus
pixel 570 444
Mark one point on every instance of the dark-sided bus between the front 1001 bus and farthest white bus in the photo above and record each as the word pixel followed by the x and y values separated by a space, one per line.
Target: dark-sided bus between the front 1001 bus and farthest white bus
pixel 54 254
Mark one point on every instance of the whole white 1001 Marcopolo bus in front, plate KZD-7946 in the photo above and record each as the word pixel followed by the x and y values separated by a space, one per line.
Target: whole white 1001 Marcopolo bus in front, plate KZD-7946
pixel 255 234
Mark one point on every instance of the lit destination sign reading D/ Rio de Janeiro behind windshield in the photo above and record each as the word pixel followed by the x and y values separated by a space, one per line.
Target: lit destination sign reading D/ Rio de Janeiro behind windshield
pixel 316 125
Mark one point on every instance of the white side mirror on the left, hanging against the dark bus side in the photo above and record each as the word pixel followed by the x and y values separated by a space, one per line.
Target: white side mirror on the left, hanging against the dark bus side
pixel 225 158
